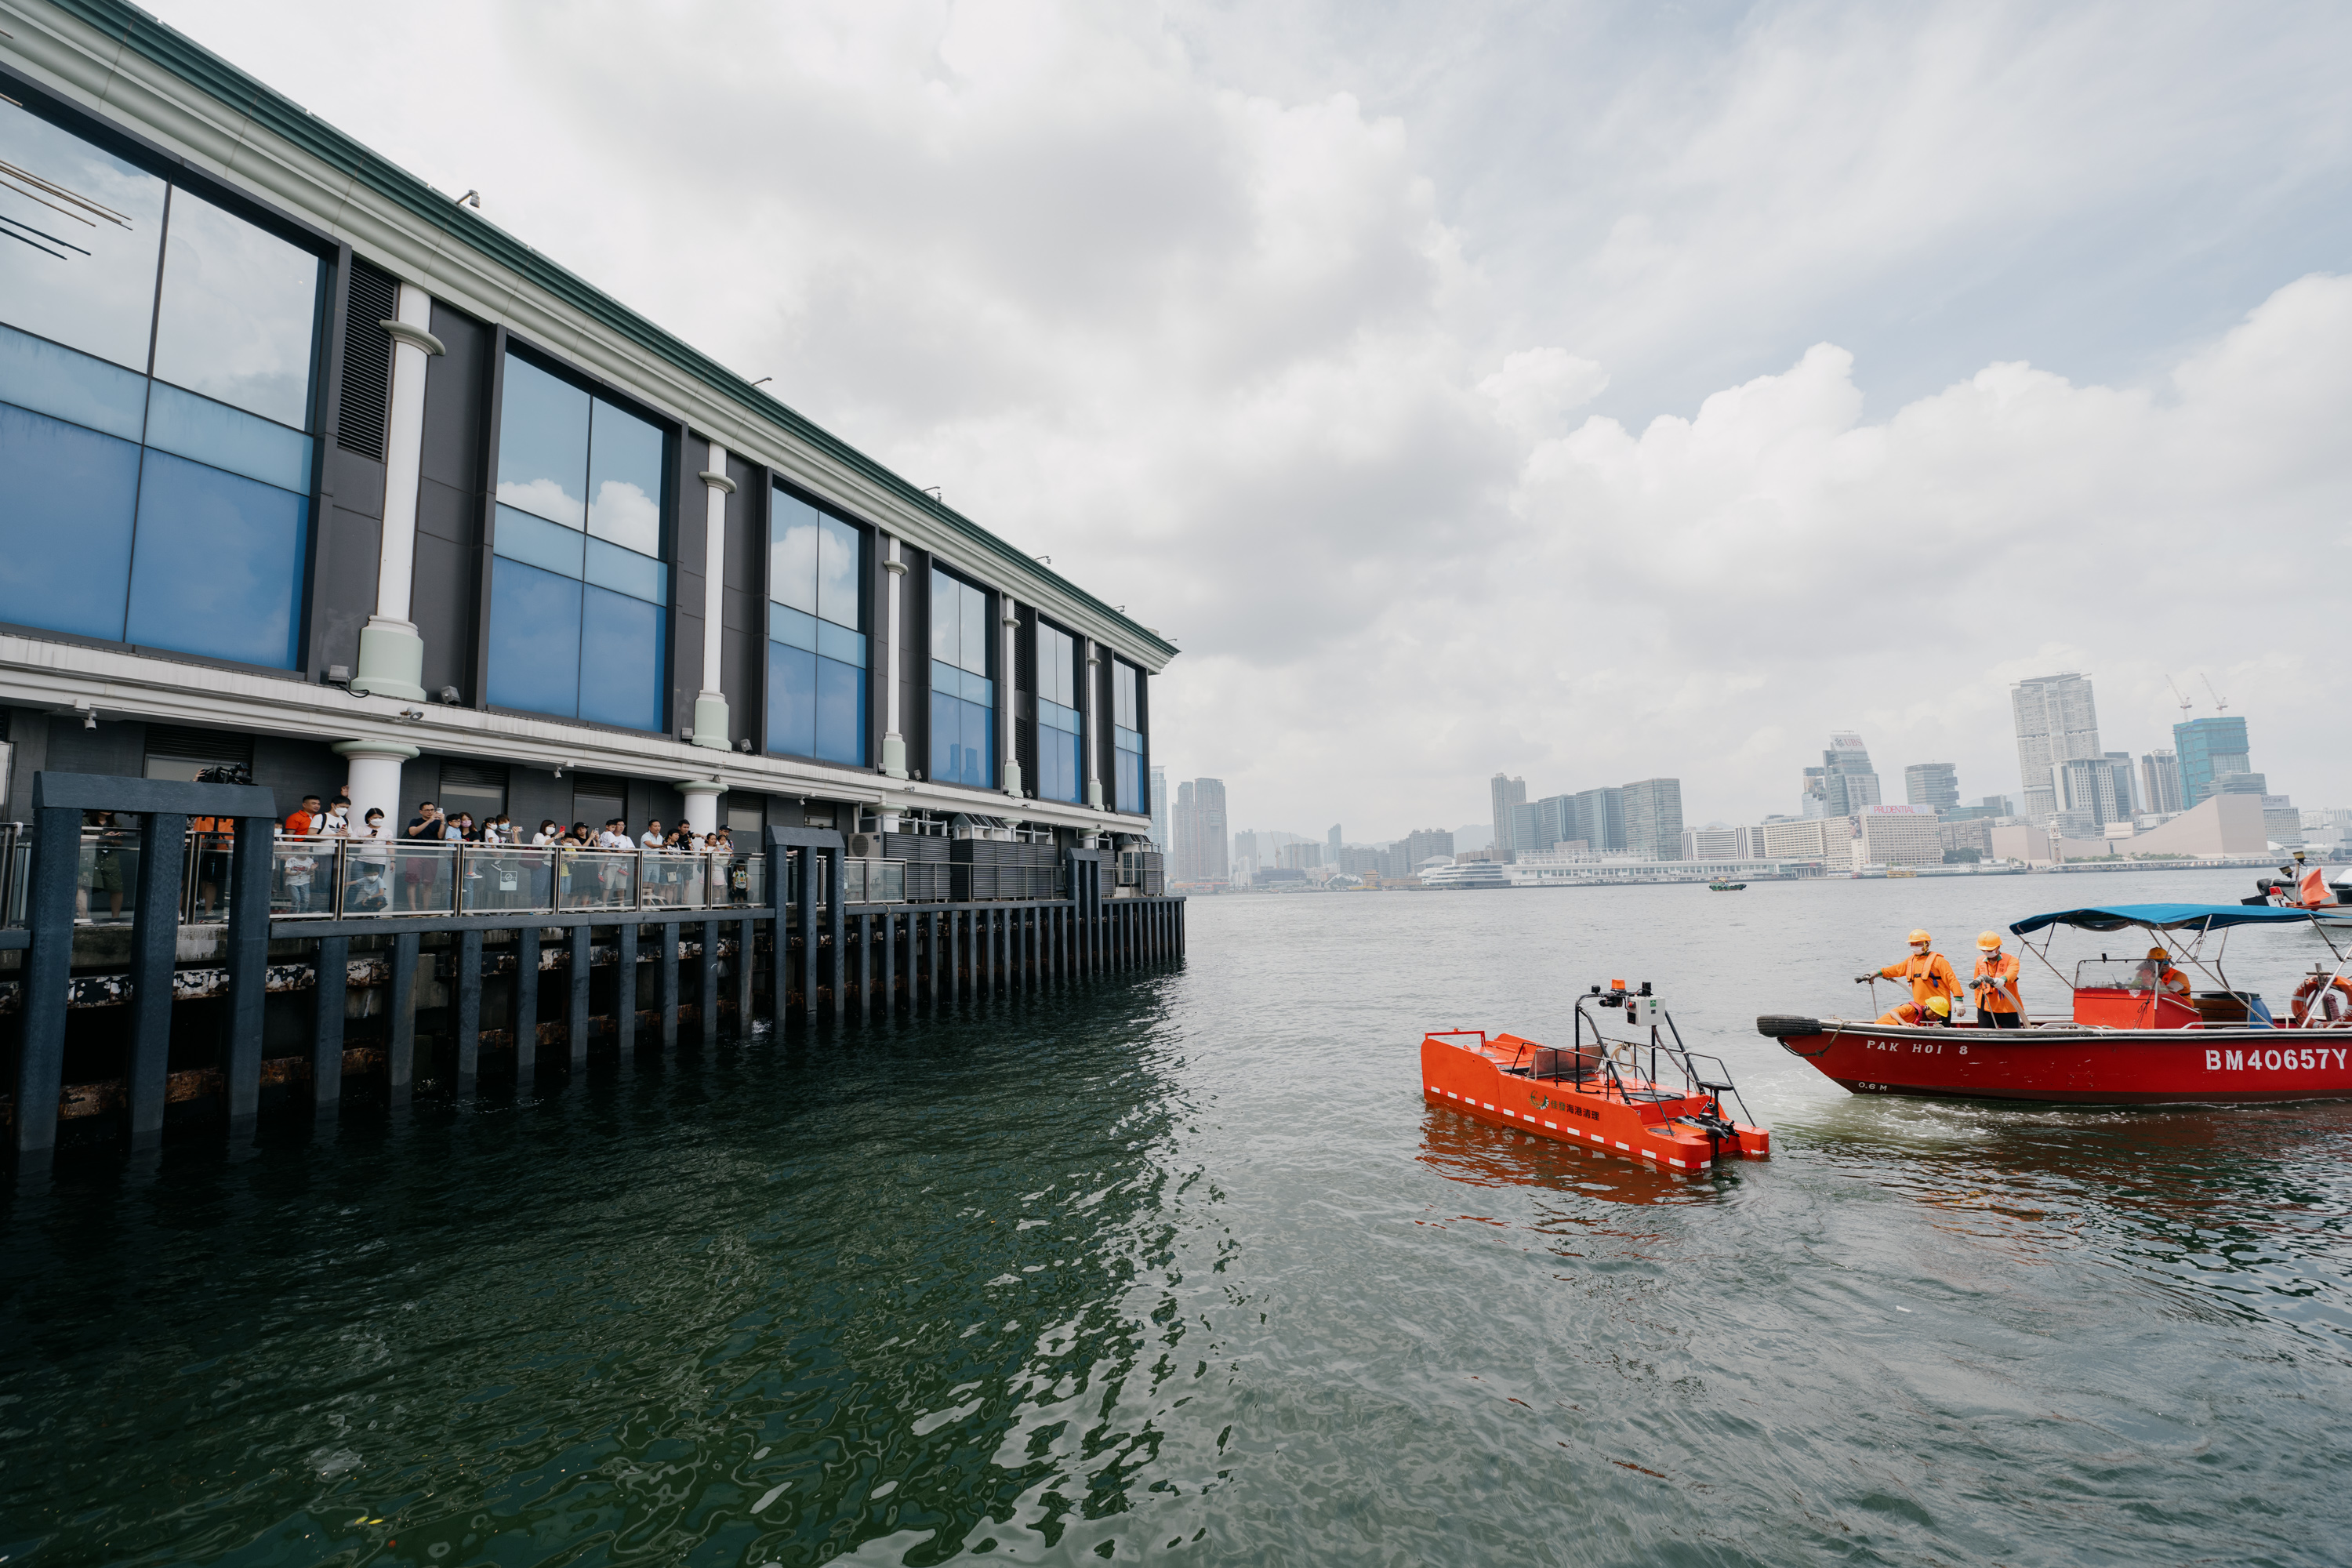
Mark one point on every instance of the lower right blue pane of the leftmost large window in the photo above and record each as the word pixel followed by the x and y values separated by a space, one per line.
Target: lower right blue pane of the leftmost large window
pixel 220 565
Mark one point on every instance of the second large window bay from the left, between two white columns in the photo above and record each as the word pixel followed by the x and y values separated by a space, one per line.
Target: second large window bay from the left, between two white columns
pixel 577 622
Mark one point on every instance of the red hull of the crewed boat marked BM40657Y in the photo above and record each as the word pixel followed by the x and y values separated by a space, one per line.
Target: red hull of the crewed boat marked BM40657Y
pixel 2085 1068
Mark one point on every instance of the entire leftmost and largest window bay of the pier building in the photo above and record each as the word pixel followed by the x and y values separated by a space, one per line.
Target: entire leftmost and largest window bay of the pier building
pixel 199 542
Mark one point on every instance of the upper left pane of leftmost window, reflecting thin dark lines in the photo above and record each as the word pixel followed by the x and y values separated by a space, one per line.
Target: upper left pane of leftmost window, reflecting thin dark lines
pixel 79 260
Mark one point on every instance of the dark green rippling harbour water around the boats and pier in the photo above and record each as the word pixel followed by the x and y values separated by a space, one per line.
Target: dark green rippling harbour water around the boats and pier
pixel 1180 1266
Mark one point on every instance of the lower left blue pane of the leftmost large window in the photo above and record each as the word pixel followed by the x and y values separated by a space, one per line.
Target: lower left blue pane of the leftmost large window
pixel 65 525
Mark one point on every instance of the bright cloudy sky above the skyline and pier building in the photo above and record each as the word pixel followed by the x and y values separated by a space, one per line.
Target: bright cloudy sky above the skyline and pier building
pixel 1586 391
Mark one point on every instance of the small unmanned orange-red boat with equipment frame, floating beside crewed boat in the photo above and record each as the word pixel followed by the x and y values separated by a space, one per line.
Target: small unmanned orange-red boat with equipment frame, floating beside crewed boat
pixel 1636 1097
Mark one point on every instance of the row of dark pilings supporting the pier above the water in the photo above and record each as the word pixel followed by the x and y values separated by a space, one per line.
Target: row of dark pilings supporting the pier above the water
pixel 328 1010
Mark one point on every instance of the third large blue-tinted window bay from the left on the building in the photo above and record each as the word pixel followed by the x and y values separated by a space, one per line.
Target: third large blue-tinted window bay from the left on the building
pixel 817 643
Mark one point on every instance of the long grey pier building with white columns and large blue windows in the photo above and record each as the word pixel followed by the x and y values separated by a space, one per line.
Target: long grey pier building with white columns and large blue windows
pixel 314 478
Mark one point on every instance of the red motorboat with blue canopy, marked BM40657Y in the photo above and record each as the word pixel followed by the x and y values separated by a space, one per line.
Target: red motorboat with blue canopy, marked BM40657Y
pixel 2127 1040
